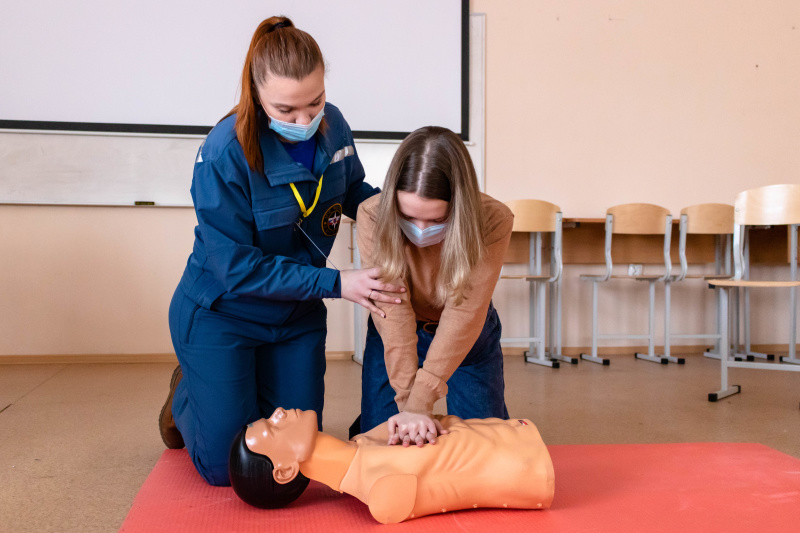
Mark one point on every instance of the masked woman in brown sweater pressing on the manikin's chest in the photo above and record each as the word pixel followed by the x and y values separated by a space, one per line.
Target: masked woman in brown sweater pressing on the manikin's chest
pixel 433 232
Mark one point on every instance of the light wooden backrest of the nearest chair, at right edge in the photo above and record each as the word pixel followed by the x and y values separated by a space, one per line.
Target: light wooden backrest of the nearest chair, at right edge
pixel 768 206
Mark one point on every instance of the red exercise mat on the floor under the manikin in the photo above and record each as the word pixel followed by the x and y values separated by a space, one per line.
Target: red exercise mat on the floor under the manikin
pixel 703 487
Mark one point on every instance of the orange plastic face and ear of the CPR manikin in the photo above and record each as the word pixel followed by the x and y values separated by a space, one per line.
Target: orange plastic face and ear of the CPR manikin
pixel 287 438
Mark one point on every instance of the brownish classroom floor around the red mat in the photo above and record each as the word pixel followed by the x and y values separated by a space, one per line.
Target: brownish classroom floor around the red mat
pixel 77 441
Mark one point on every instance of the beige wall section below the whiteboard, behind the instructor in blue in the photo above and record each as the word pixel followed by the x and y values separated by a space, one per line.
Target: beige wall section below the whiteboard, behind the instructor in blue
pixel 79 280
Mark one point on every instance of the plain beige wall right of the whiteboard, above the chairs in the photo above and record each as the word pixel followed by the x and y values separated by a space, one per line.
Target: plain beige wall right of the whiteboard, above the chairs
pixel 592 104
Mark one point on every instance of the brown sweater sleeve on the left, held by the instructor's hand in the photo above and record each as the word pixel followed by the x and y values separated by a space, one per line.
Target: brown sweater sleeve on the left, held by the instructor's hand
pixel 398 330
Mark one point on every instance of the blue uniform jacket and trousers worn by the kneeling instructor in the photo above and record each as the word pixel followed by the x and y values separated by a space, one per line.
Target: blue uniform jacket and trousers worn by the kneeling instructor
pixel 247 320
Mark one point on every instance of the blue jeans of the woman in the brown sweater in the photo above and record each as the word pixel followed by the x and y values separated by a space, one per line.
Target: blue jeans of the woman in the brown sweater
pixel 475 390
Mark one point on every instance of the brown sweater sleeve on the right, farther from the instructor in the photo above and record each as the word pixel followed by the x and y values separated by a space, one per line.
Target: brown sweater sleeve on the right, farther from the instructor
pixel 460 325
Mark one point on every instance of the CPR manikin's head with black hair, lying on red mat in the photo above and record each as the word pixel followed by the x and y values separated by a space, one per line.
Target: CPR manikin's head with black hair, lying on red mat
pixel 265 458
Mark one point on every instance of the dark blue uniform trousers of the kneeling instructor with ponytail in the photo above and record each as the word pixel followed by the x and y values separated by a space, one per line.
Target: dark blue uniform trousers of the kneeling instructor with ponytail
pixel 235 372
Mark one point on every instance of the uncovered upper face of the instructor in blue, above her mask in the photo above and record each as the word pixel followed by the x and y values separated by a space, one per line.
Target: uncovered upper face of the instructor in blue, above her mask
pixel 290 100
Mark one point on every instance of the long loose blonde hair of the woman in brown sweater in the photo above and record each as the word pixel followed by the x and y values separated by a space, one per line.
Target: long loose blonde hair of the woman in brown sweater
pixel 433 163
